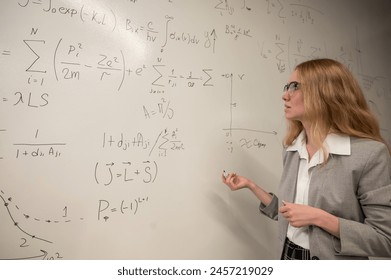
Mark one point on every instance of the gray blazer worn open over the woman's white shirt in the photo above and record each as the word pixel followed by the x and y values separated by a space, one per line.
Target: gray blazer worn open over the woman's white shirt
pixel 355 188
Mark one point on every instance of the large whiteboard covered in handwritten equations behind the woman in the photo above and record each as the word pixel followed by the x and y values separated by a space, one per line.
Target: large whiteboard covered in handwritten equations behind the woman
pixel 118 117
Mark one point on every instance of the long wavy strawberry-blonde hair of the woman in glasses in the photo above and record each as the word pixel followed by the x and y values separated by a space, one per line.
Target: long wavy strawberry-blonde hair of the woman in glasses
pixel 334 102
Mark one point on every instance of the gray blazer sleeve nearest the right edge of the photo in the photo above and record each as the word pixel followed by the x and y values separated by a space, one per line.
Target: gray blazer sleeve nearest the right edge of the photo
pixel 373 236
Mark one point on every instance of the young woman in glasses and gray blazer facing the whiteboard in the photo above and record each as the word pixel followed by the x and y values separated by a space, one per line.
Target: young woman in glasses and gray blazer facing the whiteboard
pixel 335 190
